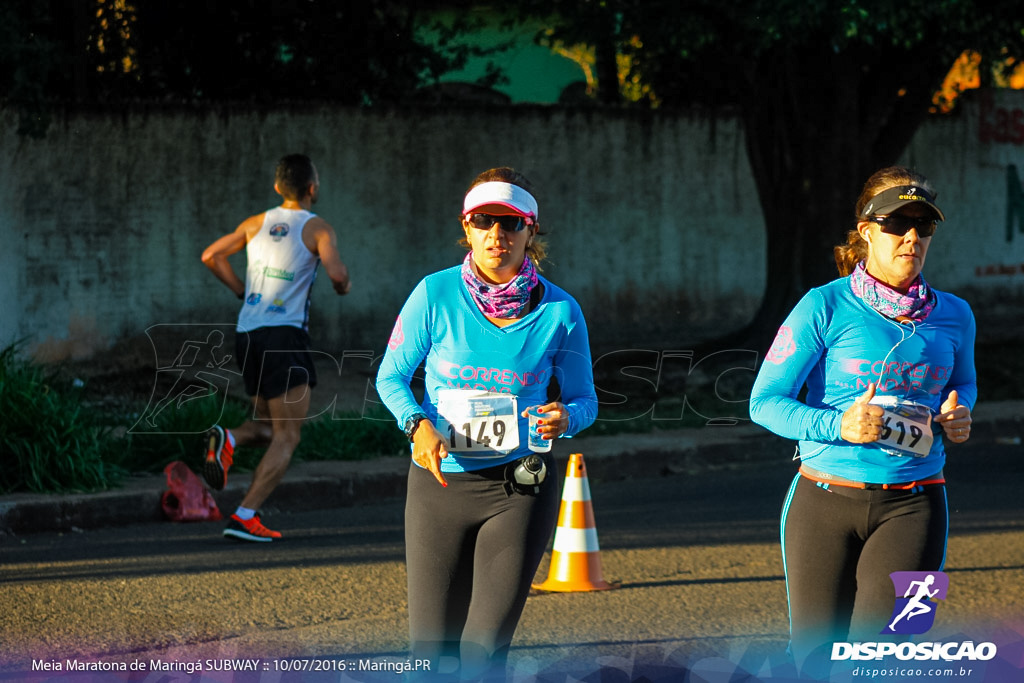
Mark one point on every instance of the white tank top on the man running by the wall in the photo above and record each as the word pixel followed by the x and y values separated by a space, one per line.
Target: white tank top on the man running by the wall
pixel 280 274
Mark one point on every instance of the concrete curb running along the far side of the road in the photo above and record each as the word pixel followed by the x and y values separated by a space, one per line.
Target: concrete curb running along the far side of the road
pixel 329 485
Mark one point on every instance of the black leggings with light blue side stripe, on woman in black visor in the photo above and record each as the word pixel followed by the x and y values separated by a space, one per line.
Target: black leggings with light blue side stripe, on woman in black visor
pixel 839 547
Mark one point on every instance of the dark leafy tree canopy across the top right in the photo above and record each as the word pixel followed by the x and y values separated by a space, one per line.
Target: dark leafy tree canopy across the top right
pixel 710 53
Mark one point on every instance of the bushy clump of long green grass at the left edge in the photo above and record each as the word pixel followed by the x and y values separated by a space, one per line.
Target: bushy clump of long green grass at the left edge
pixel 51 443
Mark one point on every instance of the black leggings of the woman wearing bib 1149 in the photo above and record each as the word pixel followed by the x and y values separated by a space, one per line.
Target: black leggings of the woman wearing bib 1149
pixel 472 552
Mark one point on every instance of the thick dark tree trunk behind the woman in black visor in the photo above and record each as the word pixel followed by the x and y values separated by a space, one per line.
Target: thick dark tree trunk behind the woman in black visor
pixel 817 127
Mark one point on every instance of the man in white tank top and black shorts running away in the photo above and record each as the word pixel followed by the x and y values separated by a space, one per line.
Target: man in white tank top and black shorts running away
pixel 284 246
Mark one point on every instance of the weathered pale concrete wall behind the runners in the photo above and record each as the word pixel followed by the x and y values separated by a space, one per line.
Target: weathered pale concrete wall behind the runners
pixel 654 220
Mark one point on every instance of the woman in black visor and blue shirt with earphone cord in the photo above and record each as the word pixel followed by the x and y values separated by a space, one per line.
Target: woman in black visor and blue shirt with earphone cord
pixel 888 365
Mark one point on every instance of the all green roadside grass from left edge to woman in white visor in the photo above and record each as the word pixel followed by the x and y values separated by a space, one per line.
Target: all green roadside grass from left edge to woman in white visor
pixel 53 443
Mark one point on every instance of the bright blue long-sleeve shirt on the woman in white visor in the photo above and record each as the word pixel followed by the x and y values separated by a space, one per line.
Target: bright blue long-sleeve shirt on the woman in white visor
pixel 462 350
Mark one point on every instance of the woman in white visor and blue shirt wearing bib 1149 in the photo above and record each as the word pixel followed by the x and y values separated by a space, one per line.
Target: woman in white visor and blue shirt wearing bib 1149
pixel 492 334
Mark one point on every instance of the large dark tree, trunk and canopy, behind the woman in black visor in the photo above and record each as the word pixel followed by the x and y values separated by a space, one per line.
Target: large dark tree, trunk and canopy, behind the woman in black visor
pixel 828 92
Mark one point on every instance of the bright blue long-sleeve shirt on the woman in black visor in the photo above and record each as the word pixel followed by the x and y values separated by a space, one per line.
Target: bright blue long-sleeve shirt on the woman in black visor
pixel 837 345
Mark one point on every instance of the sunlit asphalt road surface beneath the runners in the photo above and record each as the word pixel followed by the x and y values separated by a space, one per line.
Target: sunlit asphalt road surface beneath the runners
pixel 697 554
